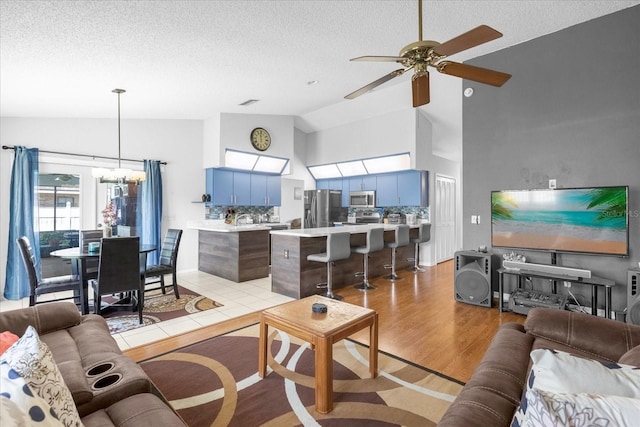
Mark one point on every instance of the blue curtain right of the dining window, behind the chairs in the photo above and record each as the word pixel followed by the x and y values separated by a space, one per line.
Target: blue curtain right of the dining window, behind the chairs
pixel 149 212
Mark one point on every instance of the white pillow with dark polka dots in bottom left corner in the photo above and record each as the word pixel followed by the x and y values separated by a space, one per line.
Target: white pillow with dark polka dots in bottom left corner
pixel 20 406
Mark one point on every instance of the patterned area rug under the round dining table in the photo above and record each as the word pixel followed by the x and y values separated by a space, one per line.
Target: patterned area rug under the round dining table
pixel 159 307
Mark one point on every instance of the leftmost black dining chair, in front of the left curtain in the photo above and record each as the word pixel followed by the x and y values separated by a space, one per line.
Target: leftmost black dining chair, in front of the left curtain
pixel 40 286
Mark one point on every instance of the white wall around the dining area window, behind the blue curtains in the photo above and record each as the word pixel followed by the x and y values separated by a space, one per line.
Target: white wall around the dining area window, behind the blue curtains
pixel 178 142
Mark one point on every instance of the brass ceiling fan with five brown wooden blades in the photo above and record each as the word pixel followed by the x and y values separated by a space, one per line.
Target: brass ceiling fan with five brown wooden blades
pixel 428 53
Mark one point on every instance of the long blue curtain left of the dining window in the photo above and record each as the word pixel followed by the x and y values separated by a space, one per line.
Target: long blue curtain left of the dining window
pixel 22 213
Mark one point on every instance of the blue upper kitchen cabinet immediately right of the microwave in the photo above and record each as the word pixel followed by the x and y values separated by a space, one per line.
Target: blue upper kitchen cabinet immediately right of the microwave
pixel 406 188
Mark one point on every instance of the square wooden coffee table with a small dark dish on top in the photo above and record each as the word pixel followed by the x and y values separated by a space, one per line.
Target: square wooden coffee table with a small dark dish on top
pixel 321 331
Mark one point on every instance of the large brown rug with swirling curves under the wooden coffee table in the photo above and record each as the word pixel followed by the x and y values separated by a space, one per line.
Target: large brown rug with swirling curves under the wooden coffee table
pixel 215 383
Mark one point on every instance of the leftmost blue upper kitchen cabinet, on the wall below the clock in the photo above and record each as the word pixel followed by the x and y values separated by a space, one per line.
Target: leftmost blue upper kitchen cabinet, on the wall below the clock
pixel 229 188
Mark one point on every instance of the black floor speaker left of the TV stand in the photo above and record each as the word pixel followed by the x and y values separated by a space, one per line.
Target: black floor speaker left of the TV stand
pixel 473 278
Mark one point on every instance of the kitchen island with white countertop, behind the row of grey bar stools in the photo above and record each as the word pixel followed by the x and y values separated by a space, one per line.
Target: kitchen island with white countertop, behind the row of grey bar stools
pixel 292 275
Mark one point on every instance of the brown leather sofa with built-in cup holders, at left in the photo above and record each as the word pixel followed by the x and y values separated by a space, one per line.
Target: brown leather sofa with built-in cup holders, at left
pixel 108 388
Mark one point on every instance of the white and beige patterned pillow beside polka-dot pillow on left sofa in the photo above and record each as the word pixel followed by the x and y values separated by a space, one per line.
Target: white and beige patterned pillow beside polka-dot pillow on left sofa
pixel 33 360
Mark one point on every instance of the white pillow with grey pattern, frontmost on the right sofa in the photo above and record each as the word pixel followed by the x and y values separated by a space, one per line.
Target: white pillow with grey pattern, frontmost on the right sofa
pixel 547 409
